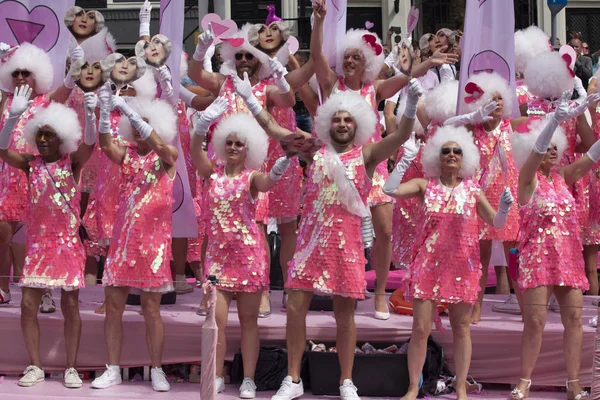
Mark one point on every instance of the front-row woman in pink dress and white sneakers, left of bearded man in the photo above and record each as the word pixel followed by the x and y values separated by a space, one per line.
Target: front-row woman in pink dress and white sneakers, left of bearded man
pixel 235 252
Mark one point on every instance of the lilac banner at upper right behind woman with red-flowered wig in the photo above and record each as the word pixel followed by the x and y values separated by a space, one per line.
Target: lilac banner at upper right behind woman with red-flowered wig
pixel 488 44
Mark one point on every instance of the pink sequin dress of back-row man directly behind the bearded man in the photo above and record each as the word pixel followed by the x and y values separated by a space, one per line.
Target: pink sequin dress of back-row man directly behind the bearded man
pixel 376 197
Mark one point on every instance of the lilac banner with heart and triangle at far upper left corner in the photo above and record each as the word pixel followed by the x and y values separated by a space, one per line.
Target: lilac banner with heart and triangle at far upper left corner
pixel 40 23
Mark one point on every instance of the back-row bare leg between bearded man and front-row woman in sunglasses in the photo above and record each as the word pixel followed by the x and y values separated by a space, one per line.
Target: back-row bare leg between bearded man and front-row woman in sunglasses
pixel 382 251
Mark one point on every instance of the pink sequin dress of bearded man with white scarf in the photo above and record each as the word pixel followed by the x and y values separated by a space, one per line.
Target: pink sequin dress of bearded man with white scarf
pixel 329 256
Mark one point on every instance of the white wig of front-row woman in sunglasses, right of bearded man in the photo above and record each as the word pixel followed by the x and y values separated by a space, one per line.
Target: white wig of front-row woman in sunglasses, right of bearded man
pixel 463 138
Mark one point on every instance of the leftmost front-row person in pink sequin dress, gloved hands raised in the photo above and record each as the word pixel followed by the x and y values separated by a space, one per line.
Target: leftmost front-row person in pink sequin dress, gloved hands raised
pixel 55 255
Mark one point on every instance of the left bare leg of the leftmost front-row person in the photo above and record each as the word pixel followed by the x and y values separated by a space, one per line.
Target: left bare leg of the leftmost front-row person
pixel 30 326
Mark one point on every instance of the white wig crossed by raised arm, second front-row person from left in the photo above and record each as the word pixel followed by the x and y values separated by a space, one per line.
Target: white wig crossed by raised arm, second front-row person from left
pixel 160 115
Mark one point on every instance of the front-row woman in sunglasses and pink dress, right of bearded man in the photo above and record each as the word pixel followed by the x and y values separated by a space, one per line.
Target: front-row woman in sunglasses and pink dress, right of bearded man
pixel 446 265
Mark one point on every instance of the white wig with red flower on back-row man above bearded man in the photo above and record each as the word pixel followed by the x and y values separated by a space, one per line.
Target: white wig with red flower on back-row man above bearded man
pixel 373 62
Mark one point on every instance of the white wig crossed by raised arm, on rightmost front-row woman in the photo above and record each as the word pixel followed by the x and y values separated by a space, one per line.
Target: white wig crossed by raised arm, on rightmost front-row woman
pixel 522 143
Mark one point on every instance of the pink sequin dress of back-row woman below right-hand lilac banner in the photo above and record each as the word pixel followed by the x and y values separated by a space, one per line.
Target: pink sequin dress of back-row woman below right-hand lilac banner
pixel 492 180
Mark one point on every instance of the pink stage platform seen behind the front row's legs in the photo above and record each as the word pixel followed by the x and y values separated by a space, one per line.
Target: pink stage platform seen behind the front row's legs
pixel 496 338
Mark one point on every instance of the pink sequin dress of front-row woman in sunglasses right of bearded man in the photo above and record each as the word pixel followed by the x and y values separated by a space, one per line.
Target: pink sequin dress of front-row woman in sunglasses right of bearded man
pixel 446 265
